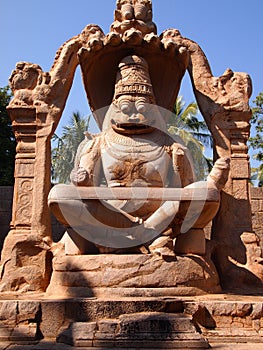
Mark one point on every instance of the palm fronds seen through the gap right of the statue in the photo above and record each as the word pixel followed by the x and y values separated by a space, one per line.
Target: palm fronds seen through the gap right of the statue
pixel 194 133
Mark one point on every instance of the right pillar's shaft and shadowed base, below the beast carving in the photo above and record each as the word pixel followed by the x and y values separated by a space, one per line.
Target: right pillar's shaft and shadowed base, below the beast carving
pixel 234 217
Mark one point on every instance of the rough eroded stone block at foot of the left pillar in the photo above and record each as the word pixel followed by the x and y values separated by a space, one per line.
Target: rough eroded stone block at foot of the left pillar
pixel 25 262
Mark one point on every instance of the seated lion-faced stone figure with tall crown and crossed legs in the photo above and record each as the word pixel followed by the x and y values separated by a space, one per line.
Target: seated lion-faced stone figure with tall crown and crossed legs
pixel 134 150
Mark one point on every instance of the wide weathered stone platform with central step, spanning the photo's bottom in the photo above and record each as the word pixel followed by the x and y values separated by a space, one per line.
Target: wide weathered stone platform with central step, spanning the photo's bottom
pixel 131 323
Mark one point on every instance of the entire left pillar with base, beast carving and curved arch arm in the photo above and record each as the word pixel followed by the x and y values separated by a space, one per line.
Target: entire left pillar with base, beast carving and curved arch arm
pixel 38 103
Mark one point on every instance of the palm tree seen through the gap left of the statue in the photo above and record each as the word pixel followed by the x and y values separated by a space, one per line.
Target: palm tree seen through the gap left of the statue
pixel 63 154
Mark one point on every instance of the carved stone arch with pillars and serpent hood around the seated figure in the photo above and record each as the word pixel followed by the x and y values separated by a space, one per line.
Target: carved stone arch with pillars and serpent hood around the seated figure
pixel 37 107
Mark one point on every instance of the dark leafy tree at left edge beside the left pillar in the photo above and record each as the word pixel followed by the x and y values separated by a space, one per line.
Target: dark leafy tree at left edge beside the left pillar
pixel 7 141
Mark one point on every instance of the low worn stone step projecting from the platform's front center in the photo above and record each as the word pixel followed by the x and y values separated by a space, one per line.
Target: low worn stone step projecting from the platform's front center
pixel 149 330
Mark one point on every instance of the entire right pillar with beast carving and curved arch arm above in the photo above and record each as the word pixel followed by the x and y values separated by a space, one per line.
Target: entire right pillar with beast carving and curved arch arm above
pixel 224 103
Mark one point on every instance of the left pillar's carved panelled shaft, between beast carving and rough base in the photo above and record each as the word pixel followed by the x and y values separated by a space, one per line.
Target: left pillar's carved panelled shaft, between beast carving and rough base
pixel 32 171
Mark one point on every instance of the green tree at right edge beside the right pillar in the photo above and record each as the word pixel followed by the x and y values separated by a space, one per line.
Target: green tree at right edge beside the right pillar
pixel 256 142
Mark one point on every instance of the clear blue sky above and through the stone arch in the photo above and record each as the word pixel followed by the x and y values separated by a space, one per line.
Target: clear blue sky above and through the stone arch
pixel 229 32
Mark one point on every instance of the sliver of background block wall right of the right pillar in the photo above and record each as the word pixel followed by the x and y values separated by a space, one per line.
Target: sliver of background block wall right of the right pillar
pixel 257 211
